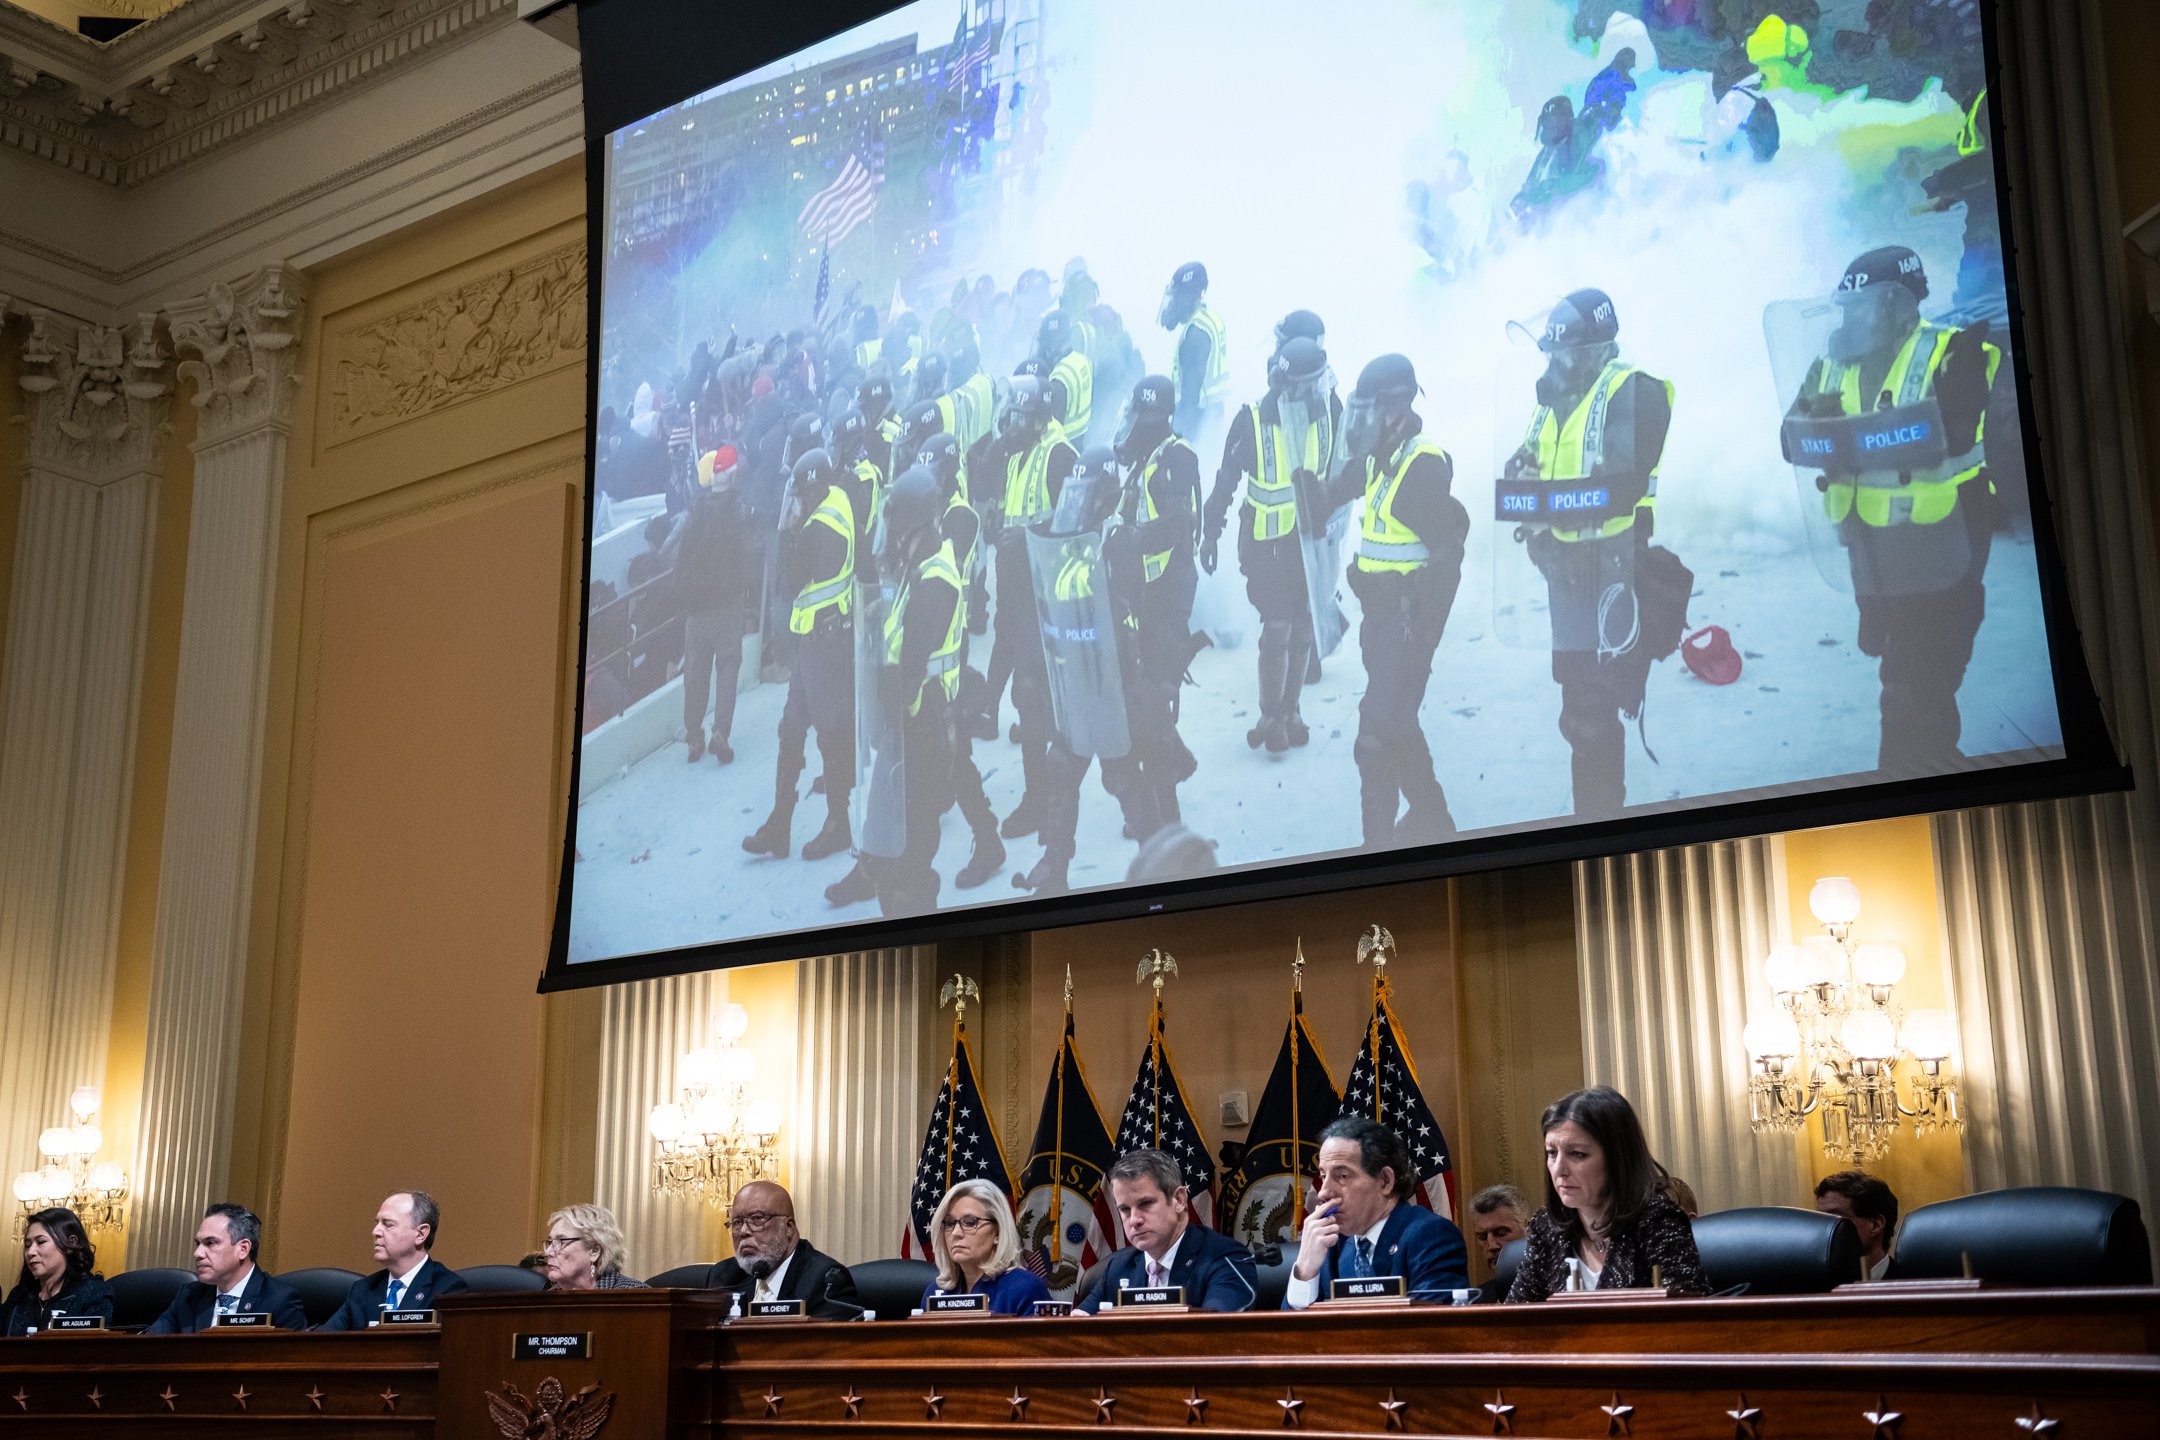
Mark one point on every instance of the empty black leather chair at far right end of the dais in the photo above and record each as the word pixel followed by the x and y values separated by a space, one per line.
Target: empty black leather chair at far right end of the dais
pixel 2040 1236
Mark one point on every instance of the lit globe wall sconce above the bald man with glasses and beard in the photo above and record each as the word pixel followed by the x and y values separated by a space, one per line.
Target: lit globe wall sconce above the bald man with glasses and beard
pixel 716 1139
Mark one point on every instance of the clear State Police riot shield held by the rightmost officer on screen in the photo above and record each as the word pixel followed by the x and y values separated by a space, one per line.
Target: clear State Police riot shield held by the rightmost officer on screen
pixel 1865 444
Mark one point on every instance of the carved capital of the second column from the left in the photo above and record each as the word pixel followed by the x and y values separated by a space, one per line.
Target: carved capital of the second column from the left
pixel 243 344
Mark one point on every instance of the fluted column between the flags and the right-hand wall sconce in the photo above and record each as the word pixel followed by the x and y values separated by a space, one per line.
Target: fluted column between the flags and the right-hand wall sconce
pixel 1664 942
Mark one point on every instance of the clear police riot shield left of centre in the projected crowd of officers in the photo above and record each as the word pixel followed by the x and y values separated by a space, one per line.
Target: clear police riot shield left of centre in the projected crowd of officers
pixel 1079 623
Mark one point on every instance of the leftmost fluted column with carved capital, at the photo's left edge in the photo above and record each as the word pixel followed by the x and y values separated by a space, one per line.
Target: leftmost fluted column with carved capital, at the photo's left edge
pixel 96 409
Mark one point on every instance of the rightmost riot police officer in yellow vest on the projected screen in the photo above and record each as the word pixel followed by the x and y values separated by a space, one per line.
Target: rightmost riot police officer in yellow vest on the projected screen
pixel 1917 536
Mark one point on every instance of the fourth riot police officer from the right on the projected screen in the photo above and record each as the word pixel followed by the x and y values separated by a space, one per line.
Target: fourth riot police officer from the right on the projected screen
pixel 1284 446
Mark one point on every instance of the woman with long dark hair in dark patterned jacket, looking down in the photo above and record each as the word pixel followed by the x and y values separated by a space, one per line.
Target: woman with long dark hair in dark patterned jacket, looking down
pixel 1606 1208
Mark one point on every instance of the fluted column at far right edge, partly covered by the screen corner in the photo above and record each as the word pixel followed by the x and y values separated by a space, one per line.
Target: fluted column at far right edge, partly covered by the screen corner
pixel 2051 910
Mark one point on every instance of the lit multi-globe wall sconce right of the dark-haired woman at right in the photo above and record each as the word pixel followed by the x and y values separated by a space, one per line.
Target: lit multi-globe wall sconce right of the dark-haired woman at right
pixel 1835 1037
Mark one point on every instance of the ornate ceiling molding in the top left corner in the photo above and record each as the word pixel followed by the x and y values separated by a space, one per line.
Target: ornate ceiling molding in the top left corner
pixel 208 74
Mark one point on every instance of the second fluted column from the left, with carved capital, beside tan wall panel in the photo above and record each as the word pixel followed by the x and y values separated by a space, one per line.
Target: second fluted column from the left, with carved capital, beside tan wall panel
pixel 241 357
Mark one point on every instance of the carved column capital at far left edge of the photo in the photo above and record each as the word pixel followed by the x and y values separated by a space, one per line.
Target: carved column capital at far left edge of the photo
pixel 96 409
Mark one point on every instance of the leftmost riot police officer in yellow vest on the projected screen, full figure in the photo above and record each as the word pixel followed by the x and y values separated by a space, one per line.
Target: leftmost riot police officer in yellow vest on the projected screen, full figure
pixel 818 565
